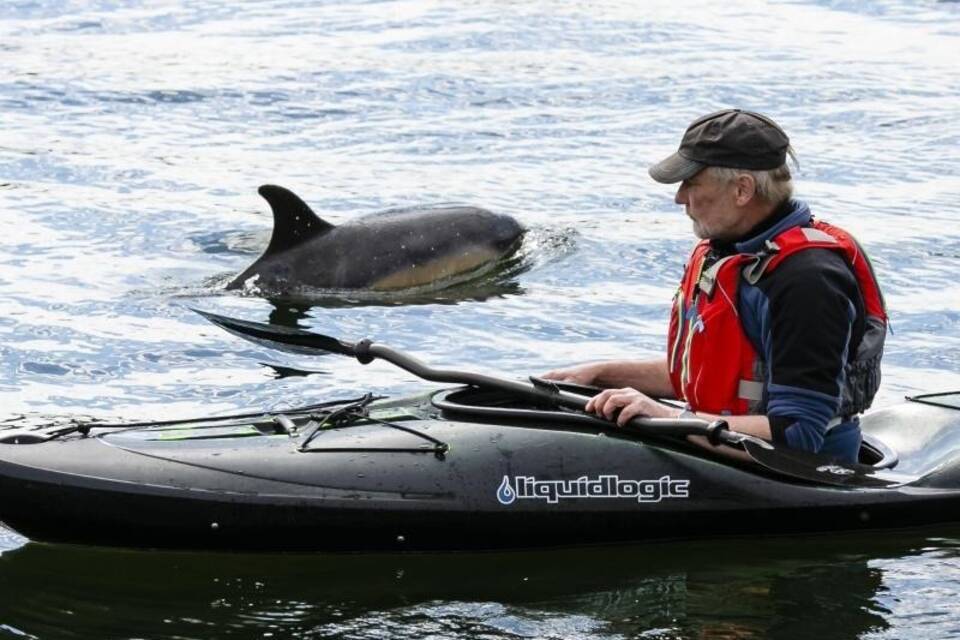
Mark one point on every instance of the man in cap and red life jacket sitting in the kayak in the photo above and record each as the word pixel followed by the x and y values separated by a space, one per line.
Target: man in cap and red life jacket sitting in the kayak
pixel 778 324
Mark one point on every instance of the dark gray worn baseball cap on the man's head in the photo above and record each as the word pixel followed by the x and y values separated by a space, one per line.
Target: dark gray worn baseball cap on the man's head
pixel 729 138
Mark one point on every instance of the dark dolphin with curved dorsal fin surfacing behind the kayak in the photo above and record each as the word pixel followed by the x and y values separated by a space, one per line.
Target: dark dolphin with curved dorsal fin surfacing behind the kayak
pixel 384 251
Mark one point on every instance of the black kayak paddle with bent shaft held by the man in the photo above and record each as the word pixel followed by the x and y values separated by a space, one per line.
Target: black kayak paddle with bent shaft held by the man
pixel 788 462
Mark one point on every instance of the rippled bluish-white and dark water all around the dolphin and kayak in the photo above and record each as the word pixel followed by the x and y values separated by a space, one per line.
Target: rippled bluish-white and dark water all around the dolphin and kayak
pixel 133 135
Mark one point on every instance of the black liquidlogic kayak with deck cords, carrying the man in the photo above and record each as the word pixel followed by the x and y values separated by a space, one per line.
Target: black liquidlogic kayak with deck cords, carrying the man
pixel 461 468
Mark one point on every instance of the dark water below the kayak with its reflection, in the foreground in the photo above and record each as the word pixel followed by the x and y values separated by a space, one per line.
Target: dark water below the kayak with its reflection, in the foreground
pixel 785 588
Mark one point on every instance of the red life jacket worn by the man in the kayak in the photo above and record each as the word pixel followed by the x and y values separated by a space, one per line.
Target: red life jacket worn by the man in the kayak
pixel 712 363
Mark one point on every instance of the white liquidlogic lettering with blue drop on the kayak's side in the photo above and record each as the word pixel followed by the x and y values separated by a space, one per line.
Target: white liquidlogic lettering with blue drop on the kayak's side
pixel 608 486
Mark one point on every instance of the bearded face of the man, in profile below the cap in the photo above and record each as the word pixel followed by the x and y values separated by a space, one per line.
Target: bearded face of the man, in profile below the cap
pixel 711 205
